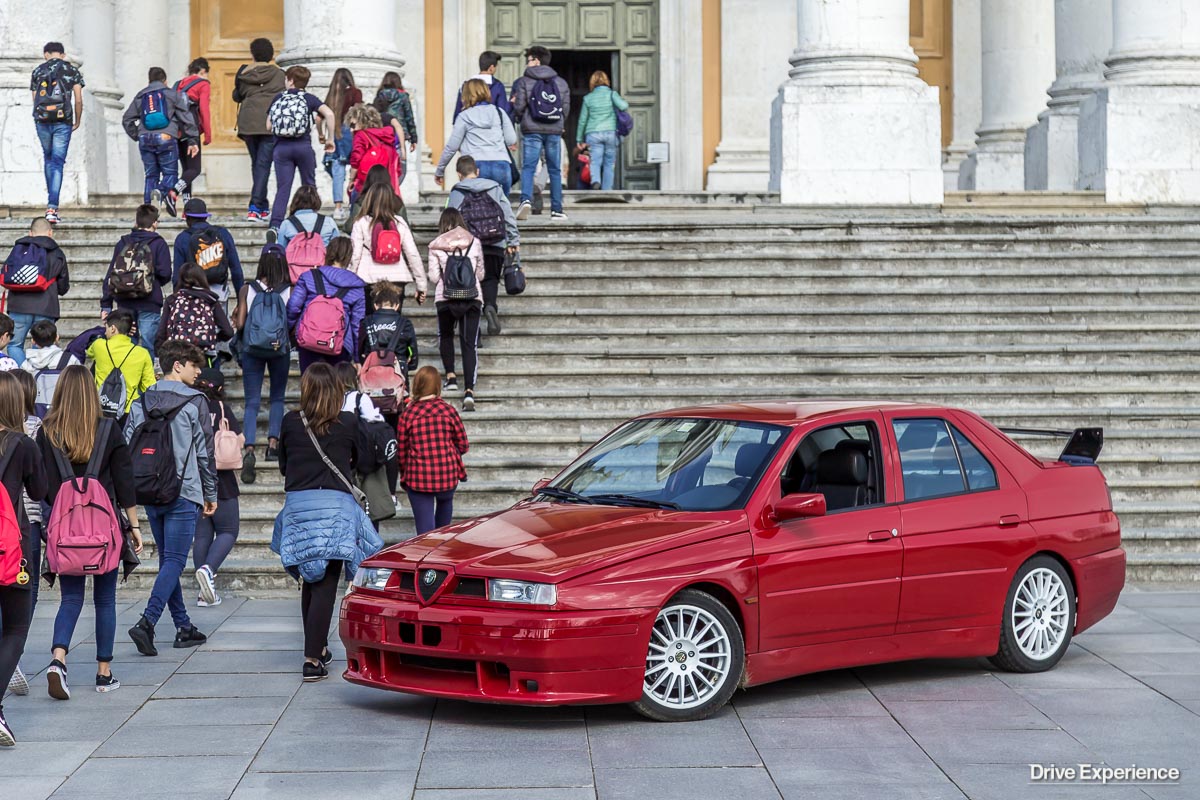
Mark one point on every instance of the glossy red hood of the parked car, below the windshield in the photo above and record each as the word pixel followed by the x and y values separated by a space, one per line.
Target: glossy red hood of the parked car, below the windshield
pixel 556 542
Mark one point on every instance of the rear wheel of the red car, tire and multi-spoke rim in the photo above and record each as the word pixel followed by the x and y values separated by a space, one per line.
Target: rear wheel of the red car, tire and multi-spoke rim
pixel 1040 617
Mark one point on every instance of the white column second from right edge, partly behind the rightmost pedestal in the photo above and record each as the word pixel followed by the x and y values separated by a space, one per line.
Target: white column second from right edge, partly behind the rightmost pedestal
pixel 1083 35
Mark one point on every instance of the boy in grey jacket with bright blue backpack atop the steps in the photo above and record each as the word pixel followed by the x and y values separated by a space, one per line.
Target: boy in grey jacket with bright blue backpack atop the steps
pixel 158 119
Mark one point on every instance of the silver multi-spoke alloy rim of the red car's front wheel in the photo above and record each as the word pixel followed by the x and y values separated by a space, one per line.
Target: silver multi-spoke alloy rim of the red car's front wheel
pixel 689 658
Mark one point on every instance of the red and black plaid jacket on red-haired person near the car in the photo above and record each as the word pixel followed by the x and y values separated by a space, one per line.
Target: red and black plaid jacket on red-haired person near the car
pixel 431 442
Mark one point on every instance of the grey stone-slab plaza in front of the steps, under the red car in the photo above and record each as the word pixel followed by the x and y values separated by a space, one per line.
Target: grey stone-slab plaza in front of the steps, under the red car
pixel 233 720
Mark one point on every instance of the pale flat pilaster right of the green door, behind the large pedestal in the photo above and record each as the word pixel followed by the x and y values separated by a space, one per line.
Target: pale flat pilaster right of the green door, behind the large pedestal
pixel 757 41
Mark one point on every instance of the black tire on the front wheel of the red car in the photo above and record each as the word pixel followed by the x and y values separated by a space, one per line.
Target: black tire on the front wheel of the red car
pixel 717 696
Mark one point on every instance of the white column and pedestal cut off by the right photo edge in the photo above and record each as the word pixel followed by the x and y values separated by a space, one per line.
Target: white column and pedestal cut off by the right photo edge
pixel 1139 135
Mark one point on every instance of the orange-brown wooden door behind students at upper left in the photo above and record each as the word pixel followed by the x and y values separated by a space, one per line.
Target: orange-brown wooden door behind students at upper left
pixel 221 33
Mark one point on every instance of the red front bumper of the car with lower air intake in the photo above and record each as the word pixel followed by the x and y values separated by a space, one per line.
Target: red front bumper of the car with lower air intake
pixel 503 655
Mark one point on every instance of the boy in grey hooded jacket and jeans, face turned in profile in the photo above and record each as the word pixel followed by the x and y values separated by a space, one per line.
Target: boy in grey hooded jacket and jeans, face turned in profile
pixel 175 525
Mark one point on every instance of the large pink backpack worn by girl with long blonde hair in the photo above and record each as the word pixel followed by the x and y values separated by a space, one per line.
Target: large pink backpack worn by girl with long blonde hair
pixel 83 536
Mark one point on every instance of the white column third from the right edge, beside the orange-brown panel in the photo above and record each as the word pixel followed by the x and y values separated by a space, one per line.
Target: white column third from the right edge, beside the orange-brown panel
pixel 1018 65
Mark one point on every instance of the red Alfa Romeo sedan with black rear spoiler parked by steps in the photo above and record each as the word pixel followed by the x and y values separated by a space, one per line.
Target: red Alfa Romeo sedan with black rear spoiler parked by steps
pixel 700 550
